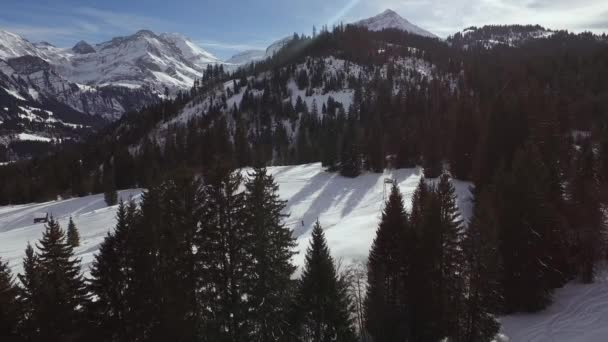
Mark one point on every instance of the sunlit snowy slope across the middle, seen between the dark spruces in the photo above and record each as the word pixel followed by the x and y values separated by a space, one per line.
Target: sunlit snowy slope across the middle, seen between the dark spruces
pixel 349 210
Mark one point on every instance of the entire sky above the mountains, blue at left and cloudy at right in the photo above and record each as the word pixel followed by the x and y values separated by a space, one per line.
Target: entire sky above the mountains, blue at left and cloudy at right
pixel 229 26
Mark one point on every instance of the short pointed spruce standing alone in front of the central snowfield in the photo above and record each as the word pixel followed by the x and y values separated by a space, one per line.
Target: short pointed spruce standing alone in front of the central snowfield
pixel 322 304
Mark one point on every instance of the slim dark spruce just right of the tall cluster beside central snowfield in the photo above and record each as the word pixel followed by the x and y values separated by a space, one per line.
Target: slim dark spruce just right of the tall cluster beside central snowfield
pixel 484 298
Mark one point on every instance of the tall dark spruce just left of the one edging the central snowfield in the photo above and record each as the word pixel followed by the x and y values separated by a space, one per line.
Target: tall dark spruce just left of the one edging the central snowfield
pixel 223 259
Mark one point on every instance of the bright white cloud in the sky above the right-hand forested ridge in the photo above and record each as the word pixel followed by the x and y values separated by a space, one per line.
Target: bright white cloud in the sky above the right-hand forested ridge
pixel 447 17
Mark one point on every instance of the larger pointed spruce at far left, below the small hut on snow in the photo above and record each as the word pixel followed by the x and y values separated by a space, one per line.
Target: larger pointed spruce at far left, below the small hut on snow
pixel 61 290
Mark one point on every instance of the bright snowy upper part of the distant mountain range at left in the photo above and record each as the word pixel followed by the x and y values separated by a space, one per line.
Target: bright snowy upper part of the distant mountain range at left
pixel 143 59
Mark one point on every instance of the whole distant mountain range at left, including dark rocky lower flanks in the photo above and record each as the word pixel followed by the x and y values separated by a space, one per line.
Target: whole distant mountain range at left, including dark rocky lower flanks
pixel 48 91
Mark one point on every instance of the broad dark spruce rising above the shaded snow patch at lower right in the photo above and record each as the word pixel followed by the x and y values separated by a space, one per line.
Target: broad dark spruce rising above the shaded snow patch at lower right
pixel 528 236
